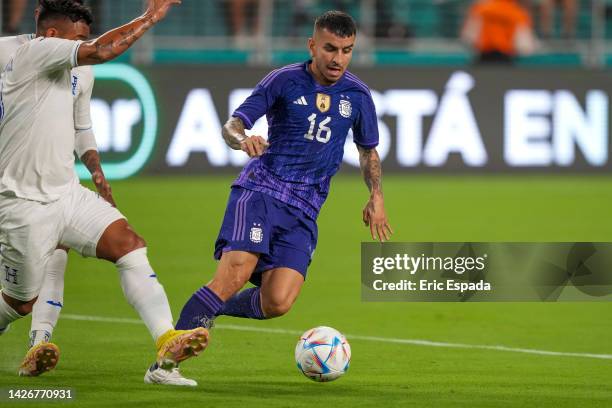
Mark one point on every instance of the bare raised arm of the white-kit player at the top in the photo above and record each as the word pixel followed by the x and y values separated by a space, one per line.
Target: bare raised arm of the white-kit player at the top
pixel 115 42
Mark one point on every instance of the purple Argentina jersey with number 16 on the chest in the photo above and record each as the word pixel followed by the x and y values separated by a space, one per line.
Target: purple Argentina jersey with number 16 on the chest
pixel 308 125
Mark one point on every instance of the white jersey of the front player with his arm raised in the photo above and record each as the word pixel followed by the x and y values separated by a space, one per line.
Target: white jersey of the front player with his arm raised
pixel 37 120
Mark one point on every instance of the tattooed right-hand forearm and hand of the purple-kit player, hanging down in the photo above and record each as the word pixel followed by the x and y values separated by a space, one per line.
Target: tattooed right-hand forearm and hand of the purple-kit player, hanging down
pixel 374 214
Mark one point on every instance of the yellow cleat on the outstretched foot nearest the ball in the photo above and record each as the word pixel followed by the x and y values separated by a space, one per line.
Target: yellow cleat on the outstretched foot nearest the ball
pixel 175 346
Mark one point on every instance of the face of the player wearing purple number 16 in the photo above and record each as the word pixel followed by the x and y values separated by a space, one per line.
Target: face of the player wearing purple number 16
pixel 331 55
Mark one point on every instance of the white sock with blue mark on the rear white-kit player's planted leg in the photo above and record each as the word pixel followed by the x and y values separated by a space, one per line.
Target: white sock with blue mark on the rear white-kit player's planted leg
pixel 50 300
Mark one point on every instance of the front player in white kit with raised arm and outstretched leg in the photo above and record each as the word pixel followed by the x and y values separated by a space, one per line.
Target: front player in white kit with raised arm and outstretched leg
pixel 41 203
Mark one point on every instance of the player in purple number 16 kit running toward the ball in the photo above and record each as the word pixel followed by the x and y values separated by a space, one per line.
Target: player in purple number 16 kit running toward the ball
pixel 269 231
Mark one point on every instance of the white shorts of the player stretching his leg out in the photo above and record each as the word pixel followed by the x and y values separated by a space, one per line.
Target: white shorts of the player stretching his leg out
pixel 30 232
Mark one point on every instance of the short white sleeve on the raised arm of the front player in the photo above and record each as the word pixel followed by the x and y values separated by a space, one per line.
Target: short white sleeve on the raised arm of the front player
pixel 51 53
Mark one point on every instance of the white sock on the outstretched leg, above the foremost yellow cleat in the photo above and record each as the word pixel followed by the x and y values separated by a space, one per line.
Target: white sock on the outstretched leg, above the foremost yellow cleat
pixel 144 292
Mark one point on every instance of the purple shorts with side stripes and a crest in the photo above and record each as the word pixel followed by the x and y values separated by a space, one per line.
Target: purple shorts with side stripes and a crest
pixel 281 234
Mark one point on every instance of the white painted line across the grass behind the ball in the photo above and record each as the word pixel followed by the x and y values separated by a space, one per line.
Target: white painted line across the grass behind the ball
pixel 414 342
